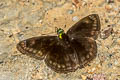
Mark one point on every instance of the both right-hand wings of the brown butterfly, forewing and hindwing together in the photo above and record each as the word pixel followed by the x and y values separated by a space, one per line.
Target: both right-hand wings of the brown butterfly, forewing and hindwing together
pixel 82 36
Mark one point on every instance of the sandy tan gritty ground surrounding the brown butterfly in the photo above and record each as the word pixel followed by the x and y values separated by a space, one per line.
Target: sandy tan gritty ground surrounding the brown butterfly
pixel 22 19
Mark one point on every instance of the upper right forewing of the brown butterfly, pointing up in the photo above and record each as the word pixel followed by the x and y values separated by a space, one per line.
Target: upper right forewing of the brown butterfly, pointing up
pixel 87 27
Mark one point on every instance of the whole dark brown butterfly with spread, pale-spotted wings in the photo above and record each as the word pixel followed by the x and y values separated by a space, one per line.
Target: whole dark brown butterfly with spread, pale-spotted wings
pixel 68 51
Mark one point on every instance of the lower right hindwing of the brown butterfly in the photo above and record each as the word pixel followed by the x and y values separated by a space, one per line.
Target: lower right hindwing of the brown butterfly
pixel 85 48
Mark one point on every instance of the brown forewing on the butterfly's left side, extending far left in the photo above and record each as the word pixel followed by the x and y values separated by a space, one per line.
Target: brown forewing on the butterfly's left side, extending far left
pixel 36 47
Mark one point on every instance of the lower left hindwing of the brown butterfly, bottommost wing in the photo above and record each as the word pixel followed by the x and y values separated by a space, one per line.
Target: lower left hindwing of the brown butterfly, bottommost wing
pixel 62 58
